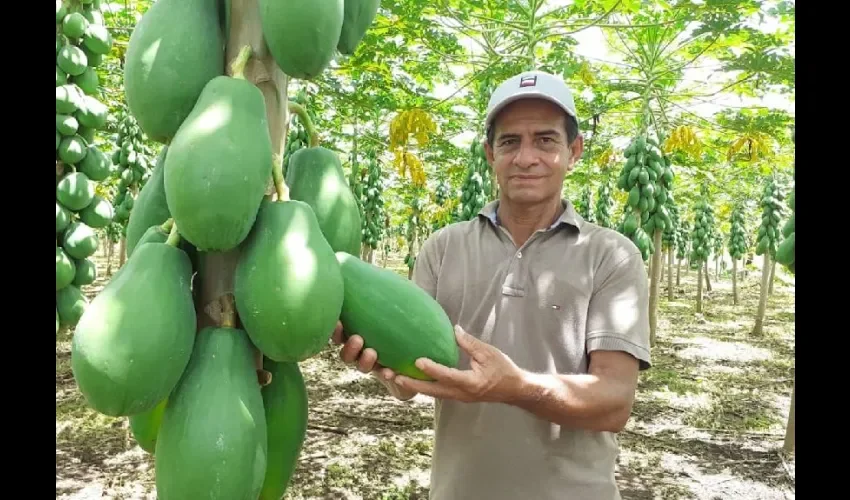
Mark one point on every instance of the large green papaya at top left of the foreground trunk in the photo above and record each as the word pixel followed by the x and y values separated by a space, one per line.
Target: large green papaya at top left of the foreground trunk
pixel 174 50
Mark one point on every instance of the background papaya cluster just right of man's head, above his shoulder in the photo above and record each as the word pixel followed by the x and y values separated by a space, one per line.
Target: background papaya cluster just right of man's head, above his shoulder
pixel 647 176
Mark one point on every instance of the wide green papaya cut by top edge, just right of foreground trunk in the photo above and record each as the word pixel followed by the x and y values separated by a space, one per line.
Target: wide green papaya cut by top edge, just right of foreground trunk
pixel 302 35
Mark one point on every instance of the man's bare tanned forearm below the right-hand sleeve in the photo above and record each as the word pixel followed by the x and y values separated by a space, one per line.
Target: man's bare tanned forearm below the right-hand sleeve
pixel 583 401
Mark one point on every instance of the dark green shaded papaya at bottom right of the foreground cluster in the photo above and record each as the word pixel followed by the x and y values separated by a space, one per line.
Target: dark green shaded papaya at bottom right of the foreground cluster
pixel 286 404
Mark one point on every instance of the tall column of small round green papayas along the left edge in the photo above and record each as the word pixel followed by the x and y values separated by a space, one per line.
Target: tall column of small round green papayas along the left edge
pixel 81 42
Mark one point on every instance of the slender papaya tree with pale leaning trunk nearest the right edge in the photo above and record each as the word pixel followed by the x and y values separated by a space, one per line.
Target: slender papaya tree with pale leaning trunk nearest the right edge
pixel 768 234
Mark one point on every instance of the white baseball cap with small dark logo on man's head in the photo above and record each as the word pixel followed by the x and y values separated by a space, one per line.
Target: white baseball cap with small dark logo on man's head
pixel 530 84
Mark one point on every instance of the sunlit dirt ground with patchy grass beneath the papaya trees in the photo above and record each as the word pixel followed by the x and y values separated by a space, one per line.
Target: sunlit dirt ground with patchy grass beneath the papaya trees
pixel 708 423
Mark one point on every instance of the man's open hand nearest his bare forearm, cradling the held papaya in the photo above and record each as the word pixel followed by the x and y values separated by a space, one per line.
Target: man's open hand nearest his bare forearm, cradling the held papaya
pixel 492 376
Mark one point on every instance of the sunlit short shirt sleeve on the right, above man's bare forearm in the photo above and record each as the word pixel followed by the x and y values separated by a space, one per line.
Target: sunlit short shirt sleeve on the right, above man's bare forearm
pixel 618 314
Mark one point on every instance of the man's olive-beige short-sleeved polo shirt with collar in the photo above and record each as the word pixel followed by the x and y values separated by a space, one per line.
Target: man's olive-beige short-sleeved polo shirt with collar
pixel 572 288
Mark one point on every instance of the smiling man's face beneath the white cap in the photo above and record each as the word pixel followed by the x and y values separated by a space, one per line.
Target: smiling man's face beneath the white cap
pixel 530 155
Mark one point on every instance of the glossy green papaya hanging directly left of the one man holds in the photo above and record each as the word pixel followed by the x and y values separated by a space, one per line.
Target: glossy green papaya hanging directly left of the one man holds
pixel 287 285
